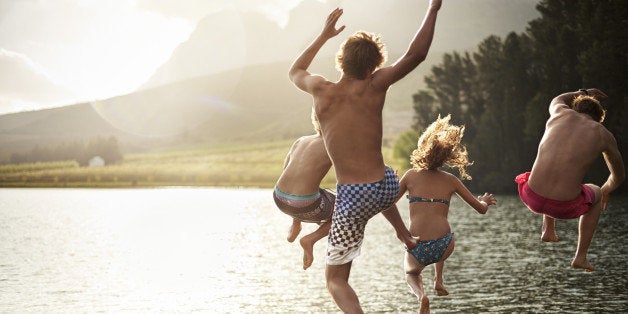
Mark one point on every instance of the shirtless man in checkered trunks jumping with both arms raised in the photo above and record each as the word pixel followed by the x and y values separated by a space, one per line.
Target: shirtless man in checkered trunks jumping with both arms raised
pixel 350 114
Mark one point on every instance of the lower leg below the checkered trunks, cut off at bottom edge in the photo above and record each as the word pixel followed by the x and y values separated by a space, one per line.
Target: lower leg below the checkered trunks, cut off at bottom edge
pixel 337 278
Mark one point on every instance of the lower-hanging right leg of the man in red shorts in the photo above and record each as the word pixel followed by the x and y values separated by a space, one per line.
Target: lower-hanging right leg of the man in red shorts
pixel 586 229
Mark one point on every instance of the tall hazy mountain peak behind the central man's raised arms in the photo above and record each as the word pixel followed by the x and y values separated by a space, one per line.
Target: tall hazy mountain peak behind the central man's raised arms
pixel 229 39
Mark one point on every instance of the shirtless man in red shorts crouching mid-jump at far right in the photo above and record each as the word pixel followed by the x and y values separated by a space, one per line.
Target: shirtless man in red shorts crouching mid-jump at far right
pixel 574 138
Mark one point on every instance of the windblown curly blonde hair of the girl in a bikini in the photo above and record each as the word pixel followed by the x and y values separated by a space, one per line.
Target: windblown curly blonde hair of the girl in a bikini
pixel 440 145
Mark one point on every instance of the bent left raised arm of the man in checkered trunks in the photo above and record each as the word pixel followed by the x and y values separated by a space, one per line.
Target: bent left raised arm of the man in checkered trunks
pixel 298 72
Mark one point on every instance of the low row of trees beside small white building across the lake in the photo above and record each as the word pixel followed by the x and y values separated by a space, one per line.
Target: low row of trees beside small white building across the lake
pixel 106 148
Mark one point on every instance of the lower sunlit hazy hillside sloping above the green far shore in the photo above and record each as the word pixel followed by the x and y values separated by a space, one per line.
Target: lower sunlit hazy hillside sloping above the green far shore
pixel 251 104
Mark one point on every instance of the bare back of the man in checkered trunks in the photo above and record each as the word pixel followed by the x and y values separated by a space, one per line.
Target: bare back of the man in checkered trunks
pixel 350 114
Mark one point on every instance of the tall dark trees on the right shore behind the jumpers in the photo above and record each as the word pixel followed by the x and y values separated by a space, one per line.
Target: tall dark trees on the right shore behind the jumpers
pixel 502 91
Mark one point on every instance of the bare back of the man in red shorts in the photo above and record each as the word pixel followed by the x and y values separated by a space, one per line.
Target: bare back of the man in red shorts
pixel 571 143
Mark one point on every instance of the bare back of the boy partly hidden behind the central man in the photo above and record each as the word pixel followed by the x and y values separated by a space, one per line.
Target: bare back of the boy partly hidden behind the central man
pixel 305 167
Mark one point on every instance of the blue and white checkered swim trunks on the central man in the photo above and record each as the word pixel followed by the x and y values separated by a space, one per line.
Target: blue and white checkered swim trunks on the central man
pixel 355 205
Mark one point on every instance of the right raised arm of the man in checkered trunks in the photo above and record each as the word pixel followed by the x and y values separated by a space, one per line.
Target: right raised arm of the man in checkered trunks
pixel 416 53
